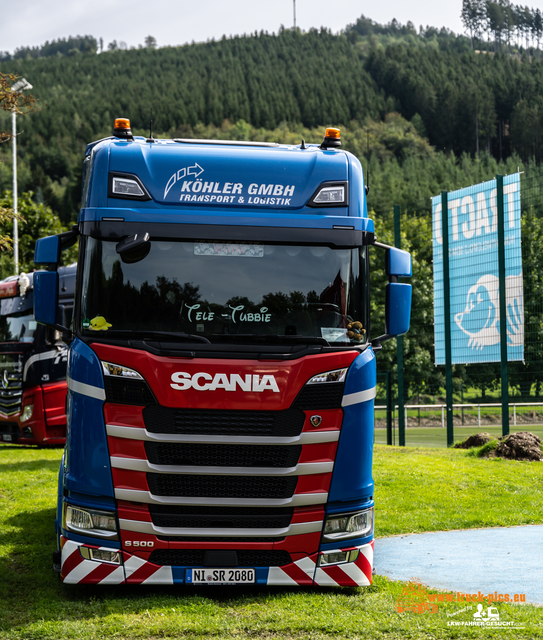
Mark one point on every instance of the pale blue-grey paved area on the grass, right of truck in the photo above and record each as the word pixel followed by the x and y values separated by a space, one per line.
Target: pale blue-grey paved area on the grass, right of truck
pixel 504 560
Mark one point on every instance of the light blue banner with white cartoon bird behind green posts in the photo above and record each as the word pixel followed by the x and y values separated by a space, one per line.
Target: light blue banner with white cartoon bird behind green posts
pixel 474 278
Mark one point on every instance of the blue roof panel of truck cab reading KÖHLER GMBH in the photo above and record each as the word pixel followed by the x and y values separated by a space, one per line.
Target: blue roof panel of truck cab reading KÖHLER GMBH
pixel 279 177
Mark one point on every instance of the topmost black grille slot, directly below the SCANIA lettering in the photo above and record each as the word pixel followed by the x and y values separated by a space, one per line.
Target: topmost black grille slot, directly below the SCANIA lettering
pixel 288 423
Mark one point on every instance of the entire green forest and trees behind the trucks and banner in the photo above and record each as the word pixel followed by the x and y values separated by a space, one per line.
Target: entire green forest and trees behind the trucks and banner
pixel 424 111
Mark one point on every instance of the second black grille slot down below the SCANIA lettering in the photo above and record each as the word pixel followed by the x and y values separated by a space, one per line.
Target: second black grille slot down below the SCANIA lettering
pixel 220 455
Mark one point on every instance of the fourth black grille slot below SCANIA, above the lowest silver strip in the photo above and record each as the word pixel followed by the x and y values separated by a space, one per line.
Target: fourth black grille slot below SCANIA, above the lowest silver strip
pixel 220 517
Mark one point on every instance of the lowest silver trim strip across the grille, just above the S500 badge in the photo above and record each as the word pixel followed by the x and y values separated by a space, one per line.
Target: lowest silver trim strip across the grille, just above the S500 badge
pixel 294 529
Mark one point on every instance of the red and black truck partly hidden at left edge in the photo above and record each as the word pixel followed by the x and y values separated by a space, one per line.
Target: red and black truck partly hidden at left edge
pixel 33 362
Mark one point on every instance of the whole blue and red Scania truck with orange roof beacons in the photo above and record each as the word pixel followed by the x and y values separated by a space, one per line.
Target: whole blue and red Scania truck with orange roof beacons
pixel 221 367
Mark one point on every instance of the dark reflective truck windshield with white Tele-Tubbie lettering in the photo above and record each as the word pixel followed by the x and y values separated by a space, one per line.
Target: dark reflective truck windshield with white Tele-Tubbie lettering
pixel 211 291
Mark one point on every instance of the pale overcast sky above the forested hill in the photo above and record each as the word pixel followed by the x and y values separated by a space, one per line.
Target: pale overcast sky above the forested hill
pixel 32 22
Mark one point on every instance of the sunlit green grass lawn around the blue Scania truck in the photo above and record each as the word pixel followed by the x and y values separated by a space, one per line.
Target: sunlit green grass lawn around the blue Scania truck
pixel 416 490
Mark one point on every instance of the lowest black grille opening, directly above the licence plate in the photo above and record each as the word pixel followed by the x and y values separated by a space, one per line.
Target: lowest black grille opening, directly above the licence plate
pixel 203 557
